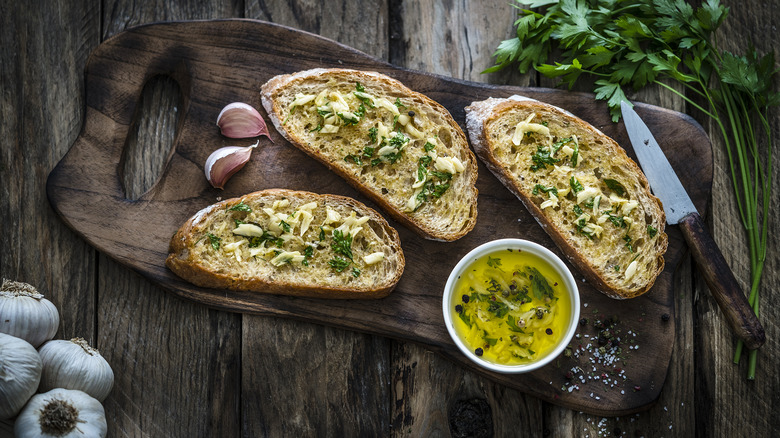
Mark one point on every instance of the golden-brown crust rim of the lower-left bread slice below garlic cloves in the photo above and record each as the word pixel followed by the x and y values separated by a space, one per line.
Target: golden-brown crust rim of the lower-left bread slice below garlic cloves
pixel 185 263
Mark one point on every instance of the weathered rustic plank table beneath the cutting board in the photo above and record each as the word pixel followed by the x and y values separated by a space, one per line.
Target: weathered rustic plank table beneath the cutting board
pixel 183 369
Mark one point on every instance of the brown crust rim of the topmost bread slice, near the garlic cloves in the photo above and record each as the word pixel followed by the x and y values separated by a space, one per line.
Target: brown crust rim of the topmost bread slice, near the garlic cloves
pixel 439 229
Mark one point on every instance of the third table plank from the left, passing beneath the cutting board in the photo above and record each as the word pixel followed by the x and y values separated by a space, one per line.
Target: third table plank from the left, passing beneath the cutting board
pixel 324 381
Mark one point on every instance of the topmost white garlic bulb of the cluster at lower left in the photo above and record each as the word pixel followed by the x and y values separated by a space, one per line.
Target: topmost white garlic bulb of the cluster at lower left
pixel 26 314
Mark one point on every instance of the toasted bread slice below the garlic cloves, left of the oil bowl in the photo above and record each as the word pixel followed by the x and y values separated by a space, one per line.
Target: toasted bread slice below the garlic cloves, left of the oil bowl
pixel 291 243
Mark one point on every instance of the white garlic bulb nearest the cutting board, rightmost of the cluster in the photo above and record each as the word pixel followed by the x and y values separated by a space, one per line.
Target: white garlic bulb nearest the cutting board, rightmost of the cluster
pixel 74 364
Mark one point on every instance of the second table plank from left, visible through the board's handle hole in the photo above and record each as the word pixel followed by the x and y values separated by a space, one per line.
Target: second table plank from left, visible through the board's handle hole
pixel 177 357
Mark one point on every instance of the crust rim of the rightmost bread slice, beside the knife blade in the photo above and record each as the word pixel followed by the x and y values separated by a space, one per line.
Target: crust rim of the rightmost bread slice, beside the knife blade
pixel 480 116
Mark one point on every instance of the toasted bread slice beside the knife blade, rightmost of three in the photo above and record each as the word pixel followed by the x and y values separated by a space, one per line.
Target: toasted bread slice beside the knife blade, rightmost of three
pixel 581 187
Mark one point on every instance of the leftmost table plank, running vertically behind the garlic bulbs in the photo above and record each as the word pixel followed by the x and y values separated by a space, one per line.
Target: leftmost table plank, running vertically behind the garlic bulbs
pixel 41 112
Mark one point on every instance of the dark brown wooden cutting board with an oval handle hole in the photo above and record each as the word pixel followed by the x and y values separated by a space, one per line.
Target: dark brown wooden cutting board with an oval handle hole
pixel 218 62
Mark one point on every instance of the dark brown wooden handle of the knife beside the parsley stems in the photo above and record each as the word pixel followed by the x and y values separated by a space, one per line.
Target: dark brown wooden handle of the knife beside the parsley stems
pixel 721 281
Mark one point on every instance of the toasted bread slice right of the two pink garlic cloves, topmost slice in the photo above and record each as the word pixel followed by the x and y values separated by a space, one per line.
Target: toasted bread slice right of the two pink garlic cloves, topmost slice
pixel 396 146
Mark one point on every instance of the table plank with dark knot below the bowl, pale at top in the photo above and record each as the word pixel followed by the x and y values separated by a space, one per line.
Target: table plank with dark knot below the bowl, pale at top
pixel 432 395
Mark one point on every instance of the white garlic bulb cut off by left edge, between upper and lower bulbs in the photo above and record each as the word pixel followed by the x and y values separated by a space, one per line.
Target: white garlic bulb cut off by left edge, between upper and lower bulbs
pixel 20 372
